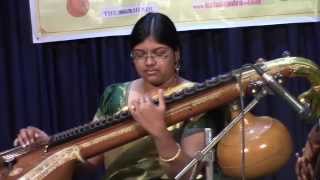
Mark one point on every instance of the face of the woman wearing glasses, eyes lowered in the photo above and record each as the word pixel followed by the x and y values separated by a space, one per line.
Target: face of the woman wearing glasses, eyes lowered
pixel 155 62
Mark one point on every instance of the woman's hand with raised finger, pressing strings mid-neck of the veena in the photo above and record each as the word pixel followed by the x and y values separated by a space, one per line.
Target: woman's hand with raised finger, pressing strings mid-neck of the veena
pixel 149 115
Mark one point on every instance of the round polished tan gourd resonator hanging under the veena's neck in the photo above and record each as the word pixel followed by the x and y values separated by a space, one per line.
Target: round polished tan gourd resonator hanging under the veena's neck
pixel 268 146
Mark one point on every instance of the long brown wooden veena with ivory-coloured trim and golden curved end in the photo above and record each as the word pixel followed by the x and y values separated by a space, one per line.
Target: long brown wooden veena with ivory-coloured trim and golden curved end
pixel 59 161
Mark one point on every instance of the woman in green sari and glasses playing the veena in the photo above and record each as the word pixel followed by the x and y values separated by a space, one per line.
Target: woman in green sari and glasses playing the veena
pixel 155 50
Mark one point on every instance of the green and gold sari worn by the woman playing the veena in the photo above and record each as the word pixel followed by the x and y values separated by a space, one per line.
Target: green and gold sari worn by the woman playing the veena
pixel 139 159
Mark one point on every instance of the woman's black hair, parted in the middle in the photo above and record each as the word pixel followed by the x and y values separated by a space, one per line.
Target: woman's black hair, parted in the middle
pixel 158 26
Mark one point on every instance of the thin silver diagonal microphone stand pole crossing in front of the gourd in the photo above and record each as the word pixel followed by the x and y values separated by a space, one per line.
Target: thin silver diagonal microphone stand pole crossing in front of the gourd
pixel 201 154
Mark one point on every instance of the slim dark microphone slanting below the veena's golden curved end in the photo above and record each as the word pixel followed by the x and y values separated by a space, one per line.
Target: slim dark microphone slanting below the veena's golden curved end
pixel 302 110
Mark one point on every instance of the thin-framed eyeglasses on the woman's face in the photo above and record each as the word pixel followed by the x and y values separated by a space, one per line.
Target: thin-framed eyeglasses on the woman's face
pixel 158 54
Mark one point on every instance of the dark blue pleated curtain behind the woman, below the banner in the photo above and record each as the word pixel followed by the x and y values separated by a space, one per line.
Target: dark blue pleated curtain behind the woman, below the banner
pixel 57 85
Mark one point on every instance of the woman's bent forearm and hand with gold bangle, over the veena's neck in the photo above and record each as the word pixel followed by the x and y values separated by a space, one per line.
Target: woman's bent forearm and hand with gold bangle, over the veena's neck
pixel 152 118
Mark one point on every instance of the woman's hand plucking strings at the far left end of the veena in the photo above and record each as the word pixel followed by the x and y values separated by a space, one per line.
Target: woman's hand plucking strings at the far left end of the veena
pixel 30 135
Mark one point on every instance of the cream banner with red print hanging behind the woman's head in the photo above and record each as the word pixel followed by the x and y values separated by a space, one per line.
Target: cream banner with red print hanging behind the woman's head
pixel 57 20
